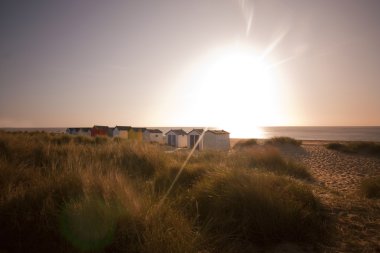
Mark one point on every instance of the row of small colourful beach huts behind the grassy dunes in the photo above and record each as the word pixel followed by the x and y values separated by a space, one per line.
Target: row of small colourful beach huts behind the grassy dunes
pixel 178 138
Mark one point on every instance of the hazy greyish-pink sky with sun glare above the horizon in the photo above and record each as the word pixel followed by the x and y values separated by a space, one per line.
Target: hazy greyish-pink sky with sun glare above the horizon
pixel 148 63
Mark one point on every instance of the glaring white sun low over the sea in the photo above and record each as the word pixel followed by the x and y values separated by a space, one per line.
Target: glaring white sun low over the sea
pixel 234 89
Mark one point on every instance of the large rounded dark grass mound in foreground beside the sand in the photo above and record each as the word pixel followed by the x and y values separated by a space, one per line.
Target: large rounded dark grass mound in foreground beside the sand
pixel 264 209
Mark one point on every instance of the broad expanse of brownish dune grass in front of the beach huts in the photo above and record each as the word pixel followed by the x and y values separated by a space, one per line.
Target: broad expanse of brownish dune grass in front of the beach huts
pixel 76 194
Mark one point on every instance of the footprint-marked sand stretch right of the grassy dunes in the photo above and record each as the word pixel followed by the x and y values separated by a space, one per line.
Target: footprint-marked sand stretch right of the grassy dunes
pixel 355 219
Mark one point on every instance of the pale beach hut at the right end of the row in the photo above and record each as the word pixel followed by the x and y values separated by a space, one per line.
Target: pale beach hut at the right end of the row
pixel 216 139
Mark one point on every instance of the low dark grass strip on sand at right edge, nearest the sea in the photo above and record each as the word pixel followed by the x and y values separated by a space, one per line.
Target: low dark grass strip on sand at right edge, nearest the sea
pixel 366 148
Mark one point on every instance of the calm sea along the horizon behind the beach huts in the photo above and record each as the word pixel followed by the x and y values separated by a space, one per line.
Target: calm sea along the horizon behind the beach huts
pixel 336 133
